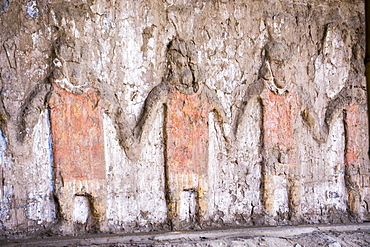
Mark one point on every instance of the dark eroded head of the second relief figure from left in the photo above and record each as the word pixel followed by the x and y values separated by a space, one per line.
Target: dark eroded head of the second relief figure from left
pixel 181 71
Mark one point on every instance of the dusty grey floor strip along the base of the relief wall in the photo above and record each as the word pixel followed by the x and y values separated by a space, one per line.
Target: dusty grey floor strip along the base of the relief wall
pixel 318 235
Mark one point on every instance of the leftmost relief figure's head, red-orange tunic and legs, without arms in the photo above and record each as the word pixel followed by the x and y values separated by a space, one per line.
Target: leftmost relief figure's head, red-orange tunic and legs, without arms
pixel 78 145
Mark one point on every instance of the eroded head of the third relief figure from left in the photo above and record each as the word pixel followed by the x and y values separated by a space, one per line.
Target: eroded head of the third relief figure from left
pixel 276 67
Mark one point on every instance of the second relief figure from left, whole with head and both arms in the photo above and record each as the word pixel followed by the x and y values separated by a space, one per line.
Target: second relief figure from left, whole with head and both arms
pixel 187 105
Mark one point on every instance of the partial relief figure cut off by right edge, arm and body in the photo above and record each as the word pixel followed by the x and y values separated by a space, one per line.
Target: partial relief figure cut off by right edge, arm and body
pixel 350 105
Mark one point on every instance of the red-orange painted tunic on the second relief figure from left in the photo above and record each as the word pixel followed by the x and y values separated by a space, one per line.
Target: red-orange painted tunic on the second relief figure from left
pixel 187 133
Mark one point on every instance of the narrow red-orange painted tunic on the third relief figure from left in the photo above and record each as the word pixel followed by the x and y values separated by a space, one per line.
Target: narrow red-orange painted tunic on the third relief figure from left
pixel 280 113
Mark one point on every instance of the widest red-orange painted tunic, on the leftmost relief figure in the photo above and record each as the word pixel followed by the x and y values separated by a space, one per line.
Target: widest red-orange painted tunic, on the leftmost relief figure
pixel 77 132
